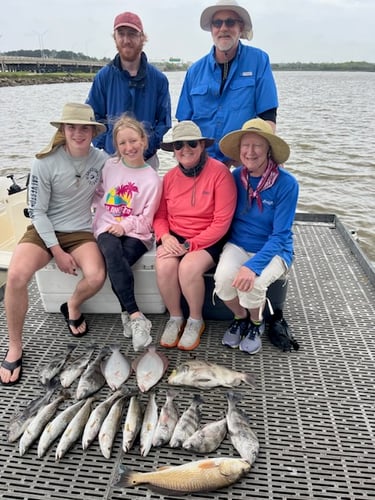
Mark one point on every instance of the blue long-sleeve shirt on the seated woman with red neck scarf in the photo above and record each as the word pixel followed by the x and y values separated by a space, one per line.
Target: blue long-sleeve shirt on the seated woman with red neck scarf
pixel 266 232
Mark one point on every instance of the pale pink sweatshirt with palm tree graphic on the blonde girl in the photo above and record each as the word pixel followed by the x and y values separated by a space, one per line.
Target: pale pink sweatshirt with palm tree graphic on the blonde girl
pixel 129 196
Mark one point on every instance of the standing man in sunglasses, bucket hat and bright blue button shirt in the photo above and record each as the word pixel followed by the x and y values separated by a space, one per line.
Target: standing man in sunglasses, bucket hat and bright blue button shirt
pixel 231 84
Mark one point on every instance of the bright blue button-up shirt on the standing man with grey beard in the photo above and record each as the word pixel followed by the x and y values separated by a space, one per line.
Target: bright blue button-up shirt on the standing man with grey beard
pixel 250 89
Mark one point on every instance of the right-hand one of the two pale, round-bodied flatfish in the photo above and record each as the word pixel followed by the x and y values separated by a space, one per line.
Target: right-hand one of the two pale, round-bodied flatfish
pixel 149 368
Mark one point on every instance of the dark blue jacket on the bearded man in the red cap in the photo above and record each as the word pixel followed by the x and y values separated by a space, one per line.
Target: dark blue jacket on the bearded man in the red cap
pixel 145 96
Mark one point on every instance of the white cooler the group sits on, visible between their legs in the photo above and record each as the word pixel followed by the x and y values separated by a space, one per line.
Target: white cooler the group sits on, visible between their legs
pixel 56 287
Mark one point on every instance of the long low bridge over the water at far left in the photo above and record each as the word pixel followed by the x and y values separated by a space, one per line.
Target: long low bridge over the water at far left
pixel 48 65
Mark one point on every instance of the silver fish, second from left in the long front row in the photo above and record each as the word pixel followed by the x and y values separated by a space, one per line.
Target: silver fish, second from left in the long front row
pixel 38 423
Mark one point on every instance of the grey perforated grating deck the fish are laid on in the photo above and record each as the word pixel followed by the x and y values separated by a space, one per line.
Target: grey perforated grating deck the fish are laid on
pixel 312 409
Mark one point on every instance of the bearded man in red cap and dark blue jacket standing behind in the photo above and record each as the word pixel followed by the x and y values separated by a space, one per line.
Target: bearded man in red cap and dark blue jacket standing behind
pixel 130 84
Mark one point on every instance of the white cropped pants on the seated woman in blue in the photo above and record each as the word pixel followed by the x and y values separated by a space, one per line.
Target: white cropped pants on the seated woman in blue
pixel 231 259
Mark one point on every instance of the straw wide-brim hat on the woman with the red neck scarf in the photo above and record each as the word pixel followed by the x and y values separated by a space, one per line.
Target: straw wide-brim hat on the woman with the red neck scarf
pixel 230 143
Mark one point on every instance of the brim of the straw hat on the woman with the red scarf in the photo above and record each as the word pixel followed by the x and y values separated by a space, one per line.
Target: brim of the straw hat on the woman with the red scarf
pixel 230 145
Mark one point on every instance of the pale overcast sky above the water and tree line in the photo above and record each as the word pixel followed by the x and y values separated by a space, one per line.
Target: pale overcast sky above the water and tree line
pixel 288 30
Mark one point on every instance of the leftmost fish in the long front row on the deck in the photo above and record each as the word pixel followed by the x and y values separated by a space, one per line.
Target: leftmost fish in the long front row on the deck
pixel 23 416
